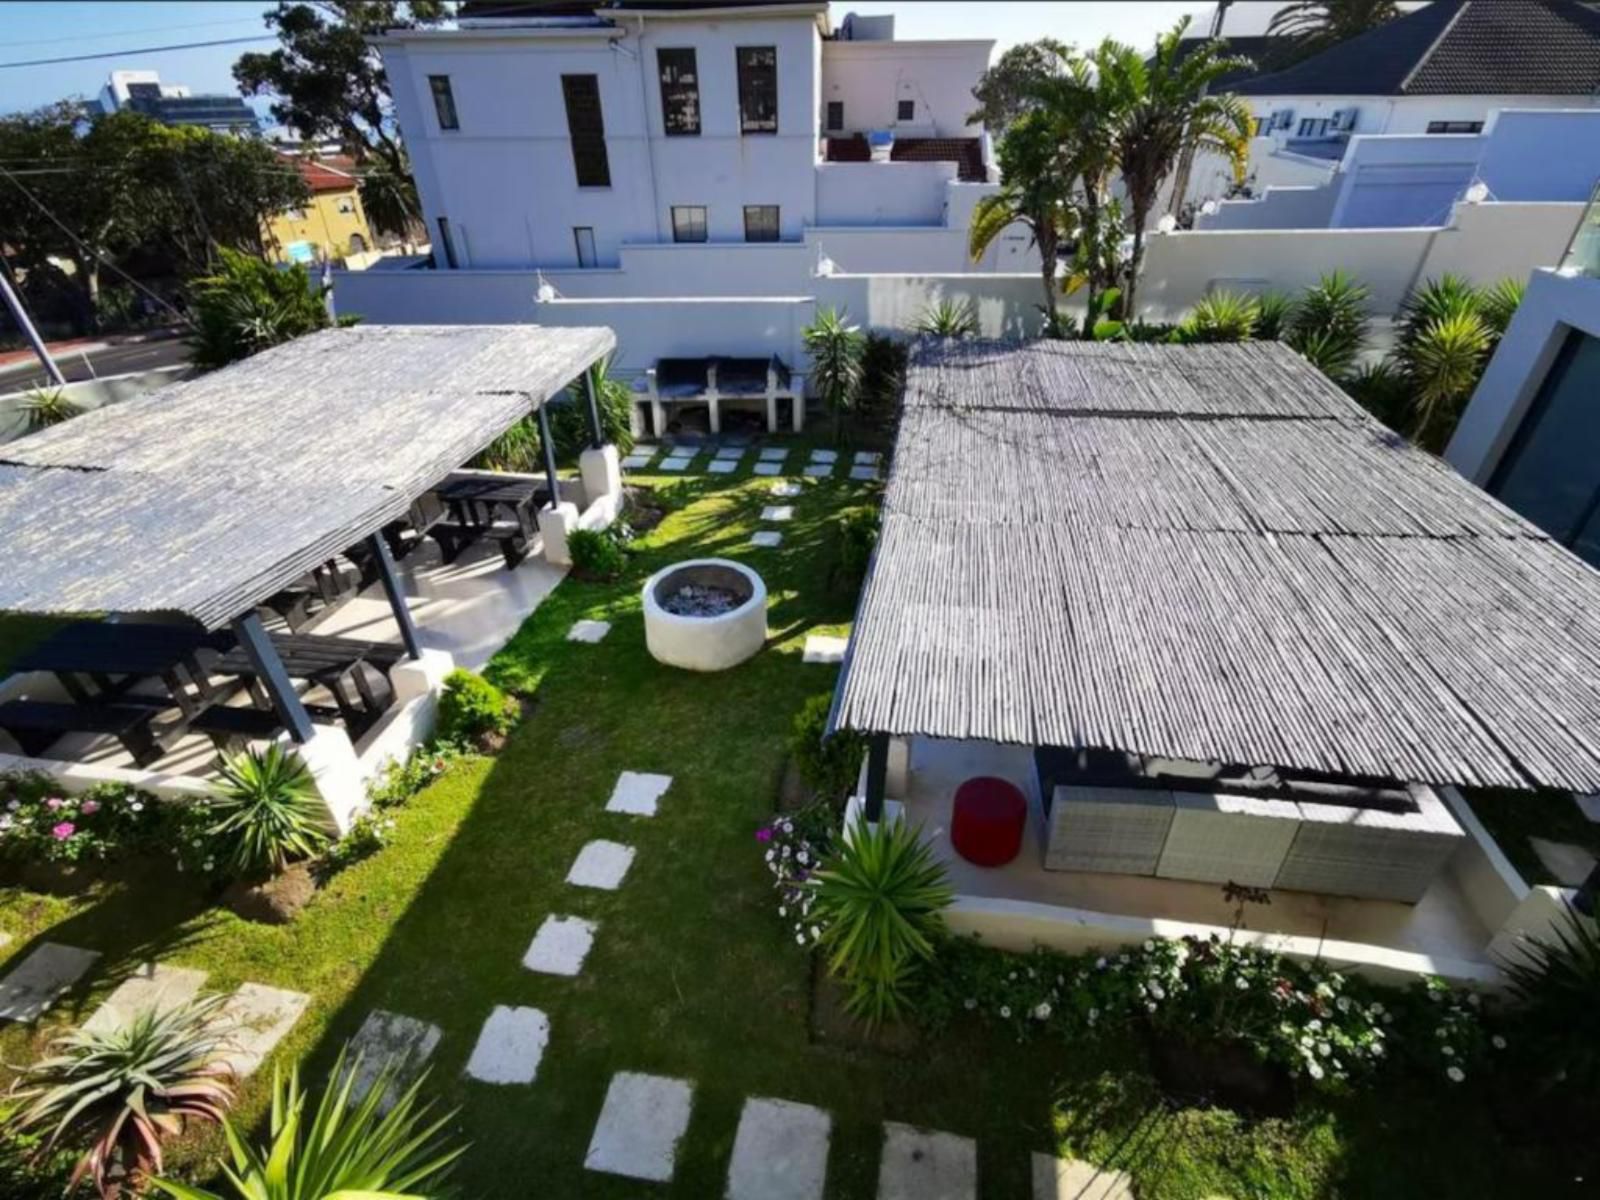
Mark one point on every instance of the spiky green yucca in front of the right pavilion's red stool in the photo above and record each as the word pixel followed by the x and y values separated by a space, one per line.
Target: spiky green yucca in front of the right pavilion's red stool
pixel 879 903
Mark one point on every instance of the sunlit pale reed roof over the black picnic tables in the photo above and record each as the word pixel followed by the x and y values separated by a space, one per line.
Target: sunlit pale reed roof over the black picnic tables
pixel 207 497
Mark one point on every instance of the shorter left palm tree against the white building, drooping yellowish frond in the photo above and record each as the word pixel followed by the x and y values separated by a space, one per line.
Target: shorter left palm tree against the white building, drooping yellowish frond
pixel 1034 193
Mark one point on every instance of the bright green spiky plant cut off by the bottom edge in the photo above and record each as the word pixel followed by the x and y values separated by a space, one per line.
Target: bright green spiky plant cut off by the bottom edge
pixel 346 1150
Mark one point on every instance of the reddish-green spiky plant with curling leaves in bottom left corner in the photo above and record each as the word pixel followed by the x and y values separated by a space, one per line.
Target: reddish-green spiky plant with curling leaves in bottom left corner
pixel 126 1092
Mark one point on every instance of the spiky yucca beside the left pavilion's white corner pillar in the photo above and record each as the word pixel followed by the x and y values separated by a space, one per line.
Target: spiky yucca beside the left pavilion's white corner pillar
pixel 270 814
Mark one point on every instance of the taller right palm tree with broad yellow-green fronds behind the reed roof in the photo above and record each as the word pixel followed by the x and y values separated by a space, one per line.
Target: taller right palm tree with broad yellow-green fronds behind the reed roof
pixel 1162 110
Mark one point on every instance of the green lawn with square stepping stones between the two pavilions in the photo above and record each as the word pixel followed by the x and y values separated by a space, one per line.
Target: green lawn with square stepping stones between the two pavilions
pixel 692 974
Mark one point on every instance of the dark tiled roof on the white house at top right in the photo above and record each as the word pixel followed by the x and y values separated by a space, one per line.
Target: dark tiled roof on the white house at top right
pixel 1457 49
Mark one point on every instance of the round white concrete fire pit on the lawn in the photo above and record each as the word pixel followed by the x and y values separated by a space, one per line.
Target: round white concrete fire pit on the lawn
pixel 705 615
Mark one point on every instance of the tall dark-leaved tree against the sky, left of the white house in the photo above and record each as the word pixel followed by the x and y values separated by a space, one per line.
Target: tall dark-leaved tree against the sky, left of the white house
pixel 326 81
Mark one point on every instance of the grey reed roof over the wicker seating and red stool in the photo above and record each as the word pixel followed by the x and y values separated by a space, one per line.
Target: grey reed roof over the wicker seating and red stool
pixel 1210 553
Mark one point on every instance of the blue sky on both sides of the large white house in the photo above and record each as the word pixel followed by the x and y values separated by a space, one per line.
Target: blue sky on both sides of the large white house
pixel 34 31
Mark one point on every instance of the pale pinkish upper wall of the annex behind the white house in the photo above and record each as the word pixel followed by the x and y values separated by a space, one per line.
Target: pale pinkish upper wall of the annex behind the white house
pixel 873 78
